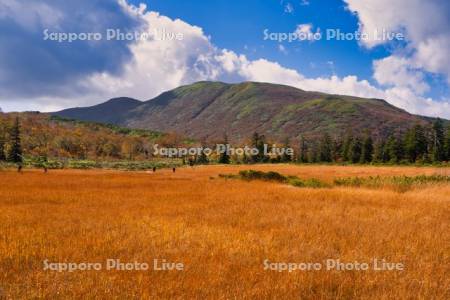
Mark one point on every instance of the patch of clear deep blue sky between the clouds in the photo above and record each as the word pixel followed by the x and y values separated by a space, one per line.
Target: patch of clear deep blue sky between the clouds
pixel 236 24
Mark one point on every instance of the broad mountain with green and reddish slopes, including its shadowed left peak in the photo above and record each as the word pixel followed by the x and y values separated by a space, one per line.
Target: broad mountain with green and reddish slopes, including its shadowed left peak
pixel 210 109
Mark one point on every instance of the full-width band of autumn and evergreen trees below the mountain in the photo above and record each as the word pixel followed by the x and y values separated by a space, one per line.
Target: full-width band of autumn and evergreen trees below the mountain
pixel 39 138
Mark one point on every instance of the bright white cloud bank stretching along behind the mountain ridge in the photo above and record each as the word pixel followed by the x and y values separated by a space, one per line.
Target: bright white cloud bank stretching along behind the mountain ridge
pixel 171 64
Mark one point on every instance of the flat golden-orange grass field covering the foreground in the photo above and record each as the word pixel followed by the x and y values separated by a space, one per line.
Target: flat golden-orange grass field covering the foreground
pixel 222 231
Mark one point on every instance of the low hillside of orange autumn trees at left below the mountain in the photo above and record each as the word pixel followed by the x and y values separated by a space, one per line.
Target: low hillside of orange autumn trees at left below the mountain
pixel 41 135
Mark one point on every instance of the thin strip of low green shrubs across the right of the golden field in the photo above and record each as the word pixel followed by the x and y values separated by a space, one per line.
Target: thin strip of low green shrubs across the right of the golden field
pixel 398 183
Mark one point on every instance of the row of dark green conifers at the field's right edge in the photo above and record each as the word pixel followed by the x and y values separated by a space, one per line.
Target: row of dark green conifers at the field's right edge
pixel 419 144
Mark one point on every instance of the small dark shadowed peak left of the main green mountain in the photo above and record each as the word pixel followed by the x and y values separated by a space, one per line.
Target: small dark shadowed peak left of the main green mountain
pixel 110 111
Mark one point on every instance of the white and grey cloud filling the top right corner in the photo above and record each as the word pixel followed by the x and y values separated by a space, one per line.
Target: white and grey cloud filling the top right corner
pixel 426 25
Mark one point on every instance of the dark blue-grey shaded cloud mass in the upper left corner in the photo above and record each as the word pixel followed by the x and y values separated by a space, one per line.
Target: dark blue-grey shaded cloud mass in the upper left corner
pixel 33 67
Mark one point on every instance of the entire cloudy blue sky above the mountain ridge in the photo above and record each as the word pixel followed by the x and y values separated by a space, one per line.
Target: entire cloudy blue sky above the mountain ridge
pixel 231 41
